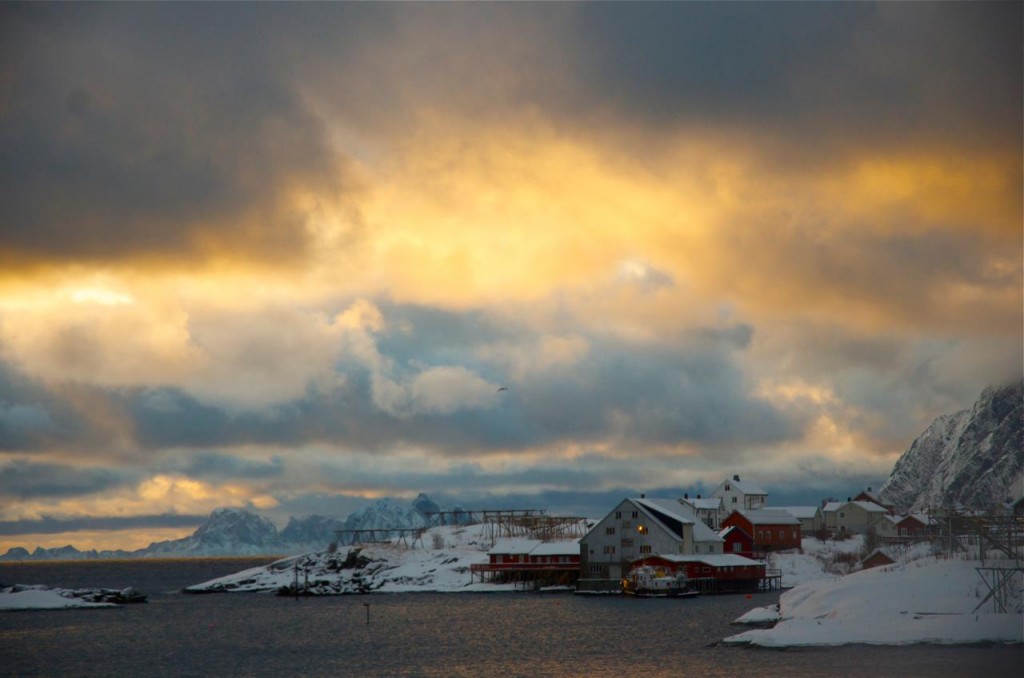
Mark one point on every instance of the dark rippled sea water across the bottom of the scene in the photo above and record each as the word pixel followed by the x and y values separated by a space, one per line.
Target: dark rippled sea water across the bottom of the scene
pixel 501 634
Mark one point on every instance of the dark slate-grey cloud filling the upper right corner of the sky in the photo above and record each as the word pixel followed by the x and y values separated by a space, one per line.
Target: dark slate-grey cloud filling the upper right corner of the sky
pixel 809 74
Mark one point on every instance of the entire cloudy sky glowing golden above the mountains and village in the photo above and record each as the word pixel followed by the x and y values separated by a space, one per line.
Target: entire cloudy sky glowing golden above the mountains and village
pixel 295 258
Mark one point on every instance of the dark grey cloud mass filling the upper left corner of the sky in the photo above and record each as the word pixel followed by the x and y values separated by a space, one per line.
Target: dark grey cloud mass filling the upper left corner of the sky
pixel 153 130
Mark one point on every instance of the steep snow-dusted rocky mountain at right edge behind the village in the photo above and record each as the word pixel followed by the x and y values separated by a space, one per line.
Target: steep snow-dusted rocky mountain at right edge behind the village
pixel 973 458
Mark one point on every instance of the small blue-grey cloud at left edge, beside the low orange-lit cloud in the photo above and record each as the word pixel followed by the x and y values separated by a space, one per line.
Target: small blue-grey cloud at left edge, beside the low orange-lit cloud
pixel 23 480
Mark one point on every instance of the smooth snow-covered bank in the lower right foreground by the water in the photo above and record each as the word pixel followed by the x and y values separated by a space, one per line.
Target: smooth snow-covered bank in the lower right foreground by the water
pixel 925 601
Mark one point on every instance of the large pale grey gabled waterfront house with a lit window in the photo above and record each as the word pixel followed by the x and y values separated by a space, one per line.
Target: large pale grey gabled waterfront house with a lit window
pixel 637 528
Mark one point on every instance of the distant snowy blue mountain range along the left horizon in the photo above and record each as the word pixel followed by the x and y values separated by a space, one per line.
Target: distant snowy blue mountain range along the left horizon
pixel 232 532
